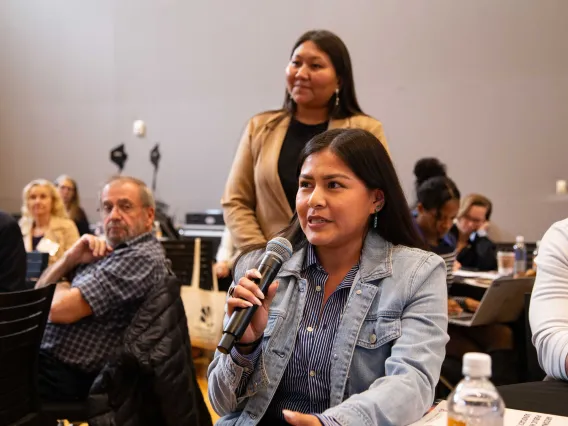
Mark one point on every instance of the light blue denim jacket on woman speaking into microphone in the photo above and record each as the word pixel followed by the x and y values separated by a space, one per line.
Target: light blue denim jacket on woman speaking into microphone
pixel 388 349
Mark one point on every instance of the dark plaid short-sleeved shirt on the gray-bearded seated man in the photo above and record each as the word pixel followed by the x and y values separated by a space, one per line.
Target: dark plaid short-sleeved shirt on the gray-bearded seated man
pixel 114 287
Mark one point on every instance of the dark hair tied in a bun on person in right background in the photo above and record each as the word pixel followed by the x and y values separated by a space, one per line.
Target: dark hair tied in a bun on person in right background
pixel 433 187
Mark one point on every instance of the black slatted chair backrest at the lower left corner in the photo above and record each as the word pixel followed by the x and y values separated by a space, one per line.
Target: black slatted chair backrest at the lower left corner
pixel 23 316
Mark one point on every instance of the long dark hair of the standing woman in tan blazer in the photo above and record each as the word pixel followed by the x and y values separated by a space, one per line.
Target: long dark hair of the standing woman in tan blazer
pixel 334 47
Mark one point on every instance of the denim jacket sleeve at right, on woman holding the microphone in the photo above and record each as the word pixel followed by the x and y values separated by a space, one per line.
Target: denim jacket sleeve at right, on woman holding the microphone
pixel 412 370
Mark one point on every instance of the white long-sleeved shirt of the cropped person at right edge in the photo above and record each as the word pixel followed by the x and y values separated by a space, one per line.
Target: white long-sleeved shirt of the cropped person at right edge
pixel 549 302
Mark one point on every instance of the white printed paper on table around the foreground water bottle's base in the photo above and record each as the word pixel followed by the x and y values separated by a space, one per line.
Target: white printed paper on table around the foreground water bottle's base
pixel 439 417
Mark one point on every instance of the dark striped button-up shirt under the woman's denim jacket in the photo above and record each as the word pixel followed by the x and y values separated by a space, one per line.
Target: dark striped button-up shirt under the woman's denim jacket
pixel 305 385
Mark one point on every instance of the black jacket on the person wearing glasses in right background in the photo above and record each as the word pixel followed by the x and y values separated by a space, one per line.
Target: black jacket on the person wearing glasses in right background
pixel 479 254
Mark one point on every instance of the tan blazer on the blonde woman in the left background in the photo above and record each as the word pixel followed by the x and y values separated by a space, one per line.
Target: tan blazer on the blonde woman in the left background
pixel 61 231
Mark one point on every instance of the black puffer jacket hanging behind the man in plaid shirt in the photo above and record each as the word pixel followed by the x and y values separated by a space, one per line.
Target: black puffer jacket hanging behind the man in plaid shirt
pixel 151 380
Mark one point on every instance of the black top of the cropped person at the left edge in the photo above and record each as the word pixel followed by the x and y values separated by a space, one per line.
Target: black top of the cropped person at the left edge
pixel 12 255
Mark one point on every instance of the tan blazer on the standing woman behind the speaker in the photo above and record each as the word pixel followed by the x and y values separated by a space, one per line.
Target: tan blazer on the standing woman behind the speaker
pixel 255 206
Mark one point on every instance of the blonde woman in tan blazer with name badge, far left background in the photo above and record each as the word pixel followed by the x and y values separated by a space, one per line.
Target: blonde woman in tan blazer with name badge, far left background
pixel 45 225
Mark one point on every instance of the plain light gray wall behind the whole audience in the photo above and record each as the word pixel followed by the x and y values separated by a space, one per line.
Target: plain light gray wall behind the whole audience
pixel 481 84
